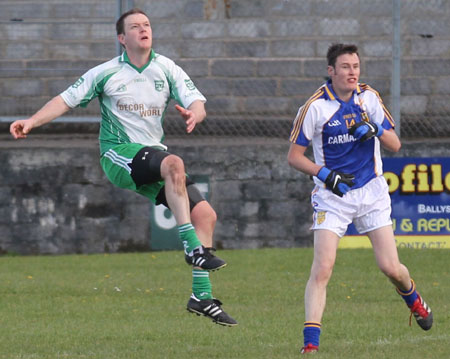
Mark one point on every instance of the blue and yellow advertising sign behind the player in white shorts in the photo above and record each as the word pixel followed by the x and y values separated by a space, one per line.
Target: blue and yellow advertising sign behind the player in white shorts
pixel 420 194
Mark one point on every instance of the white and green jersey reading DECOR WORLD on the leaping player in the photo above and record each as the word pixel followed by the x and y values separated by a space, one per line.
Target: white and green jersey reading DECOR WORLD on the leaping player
pixel 133 100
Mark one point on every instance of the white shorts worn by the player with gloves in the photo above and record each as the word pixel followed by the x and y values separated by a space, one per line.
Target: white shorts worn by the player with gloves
pixel 368 207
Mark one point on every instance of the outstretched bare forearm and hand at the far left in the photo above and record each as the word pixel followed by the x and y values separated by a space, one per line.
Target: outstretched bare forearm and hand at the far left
pixel 51 110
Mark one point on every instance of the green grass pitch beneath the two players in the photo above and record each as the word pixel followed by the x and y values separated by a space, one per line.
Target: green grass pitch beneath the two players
pixel 133 306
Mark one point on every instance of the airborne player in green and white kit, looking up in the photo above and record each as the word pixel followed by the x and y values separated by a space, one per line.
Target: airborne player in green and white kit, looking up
pixel 134 90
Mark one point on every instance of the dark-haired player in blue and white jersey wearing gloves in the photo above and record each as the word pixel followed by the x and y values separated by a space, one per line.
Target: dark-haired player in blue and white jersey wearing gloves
pixel 346 122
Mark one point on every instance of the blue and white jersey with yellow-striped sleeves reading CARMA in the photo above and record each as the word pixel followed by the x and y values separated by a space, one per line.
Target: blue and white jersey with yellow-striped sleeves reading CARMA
pixel 325 120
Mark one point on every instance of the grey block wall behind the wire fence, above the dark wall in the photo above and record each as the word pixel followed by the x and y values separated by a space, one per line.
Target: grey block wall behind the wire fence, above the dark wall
pixel 251 58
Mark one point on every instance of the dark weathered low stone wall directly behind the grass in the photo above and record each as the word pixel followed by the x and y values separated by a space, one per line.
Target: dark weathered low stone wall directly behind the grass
pixel 55 199
